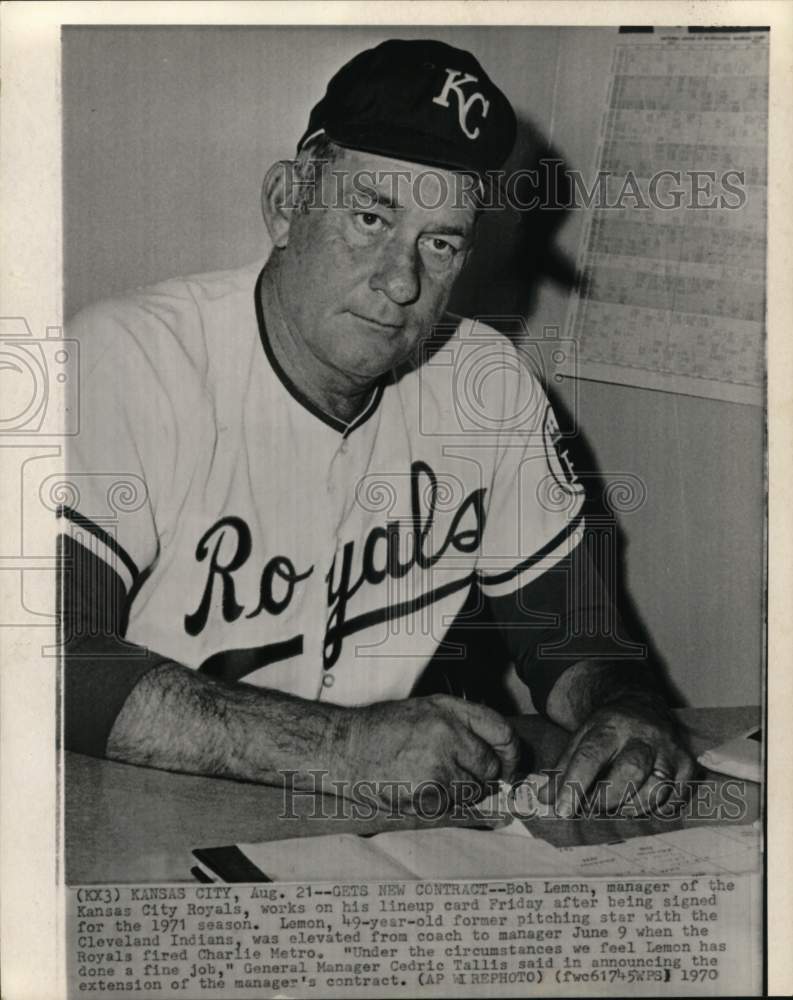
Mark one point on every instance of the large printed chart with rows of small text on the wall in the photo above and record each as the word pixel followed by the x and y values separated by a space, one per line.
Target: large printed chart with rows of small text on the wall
pixel 672 258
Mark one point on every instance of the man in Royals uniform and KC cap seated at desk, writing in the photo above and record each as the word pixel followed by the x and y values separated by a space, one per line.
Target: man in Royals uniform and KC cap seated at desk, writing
pixel 290 478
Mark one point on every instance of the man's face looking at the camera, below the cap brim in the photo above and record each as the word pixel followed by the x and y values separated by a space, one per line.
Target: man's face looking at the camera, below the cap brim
pixel 366 274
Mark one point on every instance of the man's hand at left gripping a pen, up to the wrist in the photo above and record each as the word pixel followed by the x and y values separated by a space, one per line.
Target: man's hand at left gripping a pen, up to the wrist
pixel 444 742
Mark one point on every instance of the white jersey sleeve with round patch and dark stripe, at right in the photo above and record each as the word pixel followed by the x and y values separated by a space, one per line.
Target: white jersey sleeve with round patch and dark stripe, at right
pixel 535 507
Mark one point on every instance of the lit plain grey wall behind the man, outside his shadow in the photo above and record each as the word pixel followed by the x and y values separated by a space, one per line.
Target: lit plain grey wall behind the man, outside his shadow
pixel 167 135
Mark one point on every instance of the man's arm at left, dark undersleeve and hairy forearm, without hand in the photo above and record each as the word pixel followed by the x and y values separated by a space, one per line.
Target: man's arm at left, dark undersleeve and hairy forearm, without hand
pixel 133 705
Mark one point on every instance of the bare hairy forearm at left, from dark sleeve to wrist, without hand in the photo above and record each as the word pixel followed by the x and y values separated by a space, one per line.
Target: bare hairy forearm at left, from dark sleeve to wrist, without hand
pixel 178 720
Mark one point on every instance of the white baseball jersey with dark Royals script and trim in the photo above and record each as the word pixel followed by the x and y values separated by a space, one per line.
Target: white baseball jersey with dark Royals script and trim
pixel 259 538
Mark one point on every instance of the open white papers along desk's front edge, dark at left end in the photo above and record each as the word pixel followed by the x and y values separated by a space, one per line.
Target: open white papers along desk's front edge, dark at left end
pixel 466 853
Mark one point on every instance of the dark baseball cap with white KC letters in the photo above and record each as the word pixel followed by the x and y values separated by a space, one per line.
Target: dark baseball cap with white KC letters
pixel 417 100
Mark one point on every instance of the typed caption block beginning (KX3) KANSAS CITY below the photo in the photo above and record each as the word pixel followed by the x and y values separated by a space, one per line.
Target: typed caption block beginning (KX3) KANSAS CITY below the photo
pixel 600 936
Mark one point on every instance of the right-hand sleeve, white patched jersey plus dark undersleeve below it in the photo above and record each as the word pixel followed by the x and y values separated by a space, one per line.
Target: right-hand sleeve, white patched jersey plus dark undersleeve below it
pixel 538 568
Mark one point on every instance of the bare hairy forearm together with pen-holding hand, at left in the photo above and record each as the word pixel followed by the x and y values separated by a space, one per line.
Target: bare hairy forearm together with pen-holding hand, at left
pixel 179 720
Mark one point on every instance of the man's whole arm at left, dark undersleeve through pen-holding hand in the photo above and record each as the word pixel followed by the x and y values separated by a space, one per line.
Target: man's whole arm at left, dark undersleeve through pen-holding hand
pixel 134 705
